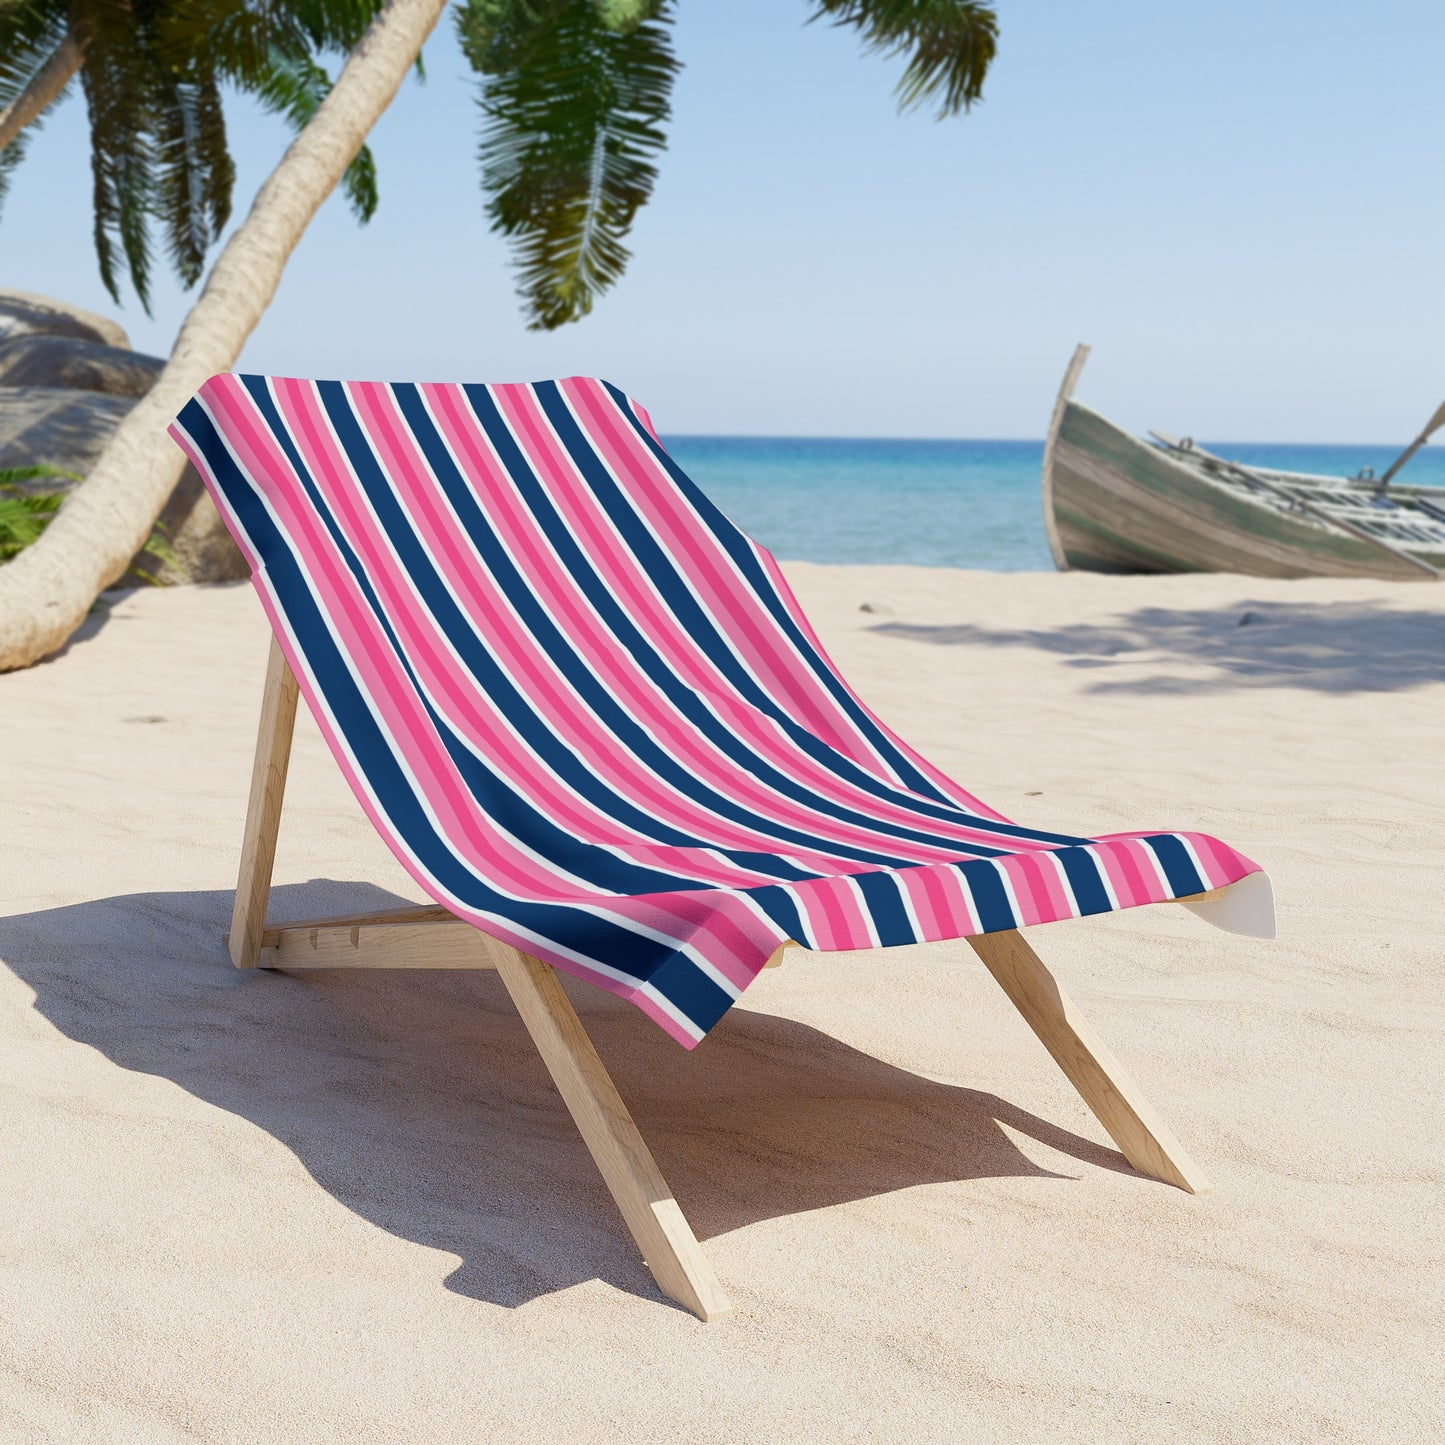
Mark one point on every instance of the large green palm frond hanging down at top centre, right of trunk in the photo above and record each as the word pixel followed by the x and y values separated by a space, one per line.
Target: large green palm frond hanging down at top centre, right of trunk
pixel 574 96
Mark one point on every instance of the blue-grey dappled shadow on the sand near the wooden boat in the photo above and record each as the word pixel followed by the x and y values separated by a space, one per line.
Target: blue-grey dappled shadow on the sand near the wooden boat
pixel 1319 647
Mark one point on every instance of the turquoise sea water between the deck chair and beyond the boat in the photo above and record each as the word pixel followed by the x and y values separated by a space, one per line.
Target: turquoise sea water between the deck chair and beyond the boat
pixel 934 504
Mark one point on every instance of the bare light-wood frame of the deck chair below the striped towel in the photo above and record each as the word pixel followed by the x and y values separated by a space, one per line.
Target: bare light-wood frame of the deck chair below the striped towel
pixel 430 937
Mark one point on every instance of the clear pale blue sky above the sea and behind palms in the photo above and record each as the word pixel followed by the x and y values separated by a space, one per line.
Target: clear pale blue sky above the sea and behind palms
pixel 1239 204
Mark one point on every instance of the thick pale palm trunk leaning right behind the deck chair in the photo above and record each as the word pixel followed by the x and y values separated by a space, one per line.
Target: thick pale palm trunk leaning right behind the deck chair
pixel 47 592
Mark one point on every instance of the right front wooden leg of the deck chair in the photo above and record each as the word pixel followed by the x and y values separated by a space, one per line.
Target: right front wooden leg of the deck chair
pixel 1110 1093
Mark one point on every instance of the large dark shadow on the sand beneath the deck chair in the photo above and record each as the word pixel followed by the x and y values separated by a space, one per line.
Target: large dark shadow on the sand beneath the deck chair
pixel 417 1100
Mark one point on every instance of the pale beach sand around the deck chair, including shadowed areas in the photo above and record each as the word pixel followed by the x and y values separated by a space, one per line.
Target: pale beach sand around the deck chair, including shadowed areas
pixel 259 1209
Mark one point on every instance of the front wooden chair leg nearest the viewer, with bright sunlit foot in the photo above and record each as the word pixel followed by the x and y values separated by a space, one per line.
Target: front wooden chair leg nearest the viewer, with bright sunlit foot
pixel 664 1236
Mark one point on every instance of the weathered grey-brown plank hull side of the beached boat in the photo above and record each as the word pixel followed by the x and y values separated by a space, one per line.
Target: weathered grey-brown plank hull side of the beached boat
pixel 1118 505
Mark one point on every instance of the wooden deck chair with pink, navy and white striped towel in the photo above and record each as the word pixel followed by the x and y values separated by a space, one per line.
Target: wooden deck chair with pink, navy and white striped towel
pixel 593 723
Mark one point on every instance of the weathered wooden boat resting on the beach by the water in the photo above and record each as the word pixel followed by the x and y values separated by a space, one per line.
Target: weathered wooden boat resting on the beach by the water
pixel 1116 504
